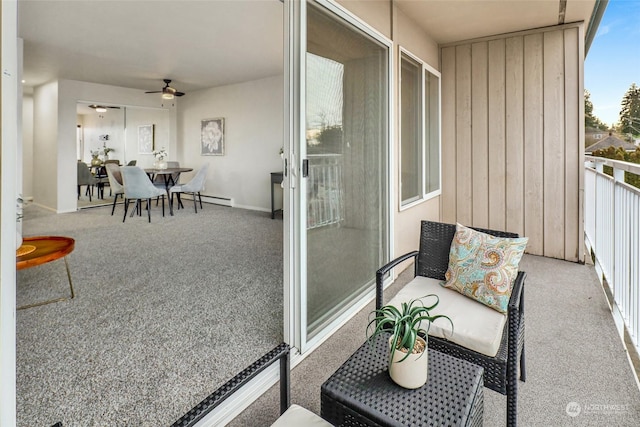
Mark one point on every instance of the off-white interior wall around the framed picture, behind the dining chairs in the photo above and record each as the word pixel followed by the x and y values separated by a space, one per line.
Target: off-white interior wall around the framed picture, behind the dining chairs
pixel 253 136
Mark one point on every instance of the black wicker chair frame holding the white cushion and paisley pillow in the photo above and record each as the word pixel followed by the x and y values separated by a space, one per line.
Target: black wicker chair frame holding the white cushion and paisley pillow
pixel 501 371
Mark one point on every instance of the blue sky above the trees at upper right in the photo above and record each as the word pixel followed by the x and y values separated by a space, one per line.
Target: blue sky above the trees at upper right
pixel 613 60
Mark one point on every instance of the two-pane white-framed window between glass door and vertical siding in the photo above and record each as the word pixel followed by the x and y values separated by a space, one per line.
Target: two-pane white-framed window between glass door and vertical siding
pixel 419 131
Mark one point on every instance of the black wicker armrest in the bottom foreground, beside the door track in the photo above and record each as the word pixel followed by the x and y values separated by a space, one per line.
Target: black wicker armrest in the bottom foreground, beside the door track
pixel 281 353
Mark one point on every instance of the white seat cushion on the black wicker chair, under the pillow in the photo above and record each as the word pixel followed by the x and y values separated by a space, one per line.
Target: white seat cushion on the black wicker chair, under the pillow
pixel 476 326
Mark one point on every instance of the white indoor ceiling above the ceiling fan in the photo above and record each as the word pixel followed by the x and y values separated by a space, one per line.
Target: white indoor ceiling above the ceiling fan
pixel 136 44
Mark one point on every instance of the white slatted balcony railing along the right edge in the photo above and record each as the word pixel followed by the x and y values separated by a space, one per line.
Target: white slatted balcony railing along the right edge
pixel 612 233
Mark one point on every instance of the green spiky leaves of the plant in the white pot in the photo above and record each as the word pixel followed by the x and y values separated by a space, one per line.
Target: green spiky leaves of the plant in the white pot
pixel 403 323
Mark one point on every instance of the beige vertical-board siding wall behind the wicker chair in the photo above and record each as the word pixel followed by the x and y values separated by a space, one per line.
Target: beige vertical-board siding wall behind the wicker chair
pixel 514 146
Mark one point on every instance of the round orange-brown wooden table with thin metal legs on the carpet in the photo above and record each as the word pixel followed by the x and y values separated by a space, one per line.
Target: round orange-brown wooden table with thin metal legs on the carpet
pixel 40 250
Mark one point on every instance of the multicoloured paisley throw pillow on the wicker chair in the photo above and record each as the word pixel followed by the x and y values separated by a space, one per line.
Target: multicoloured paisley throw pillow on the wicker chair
pixel 483 267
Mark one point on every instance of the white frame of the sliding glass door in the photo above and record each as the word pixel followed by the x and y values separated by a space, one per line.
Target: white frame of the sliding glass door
pixel 295 238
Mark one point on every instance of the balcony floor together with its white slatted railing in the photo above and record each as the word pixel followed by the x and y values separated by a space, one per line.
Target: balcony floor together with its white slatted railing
pixel 579 371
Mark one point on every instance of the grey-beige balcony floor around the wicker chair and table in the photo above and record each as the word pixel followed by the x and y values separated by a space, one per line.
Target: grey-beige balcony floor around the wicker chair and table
pixel 574 356
